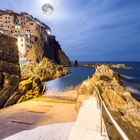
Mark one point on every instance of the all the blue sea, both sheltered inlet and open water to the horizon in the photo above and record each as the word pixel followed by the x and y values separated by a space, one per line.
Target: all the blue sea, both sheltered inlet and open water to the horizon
pixel 79 74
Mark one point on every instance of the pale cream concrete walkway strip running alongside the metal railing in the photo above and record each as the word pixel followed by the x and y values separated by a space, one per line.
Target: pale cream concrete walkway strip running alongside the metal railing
pixel 87 126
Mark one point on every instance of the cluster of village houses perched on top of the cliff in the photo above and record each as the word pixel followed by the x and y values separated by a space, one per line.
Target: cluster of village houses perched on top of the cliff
pixel 24 27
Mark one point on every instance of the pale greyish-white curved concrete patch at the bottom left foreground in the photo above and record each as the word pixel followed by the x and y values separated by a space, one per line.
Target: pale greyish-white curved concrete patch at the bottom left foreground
pixel 48 132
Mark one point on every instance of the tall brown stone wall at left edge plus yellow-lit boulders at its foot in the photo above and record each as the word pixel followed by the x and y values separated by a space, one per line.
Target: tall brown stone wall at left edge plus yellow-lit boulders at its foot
pixel 13 87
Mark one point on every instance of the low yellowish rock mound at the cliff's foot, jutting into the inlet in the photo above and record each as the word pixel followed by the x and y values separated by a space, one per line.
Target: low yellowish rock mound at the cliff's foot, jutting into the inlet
pixel 46 70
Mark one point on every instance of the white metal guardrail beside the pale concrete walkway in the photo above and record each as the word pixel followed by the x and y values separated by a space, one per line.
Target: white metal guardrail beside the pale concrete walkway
pixel 102 105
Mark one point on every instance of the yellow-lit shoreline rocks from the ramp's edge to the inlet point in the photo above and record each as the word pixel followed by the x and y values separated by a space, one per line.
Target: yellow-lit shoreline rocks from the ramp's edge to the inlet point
pixel 32 84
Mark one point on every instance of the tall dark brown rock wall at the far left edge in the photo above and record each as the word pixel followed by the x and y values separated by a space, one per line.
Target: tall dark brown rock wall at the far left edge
pixel 9 67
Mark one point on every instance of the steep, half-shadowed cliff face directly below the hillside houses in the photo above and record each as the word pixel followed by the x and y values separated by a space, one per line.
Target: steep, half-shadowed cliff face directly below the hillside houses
pixel 48 48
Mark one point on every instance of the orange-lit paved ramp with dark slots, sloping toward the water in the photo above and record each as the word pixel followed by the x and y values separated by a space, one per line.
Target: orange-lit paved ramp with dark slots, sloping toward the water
pixel 32 114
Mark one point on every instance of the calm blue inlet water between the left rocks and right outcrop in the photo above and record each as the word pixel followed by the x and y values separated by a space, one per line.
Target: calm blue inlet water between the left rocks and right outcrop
pixel 78 74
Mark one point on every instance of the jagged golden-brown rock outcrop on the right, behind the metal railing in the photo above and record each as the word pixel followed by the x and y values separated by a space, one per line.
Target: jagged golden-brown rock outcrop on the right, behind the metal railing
pixel 124 108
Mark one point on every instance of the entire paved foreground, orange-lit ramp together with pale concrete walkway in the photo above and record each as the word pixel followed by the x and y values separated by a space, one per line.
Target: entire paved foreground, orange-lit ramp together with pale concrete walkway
pixel 57 120
